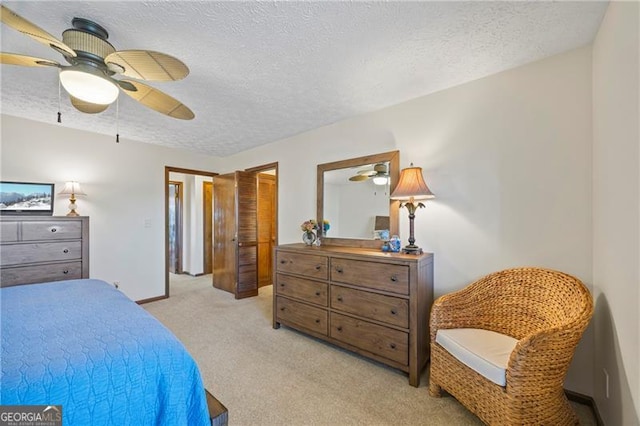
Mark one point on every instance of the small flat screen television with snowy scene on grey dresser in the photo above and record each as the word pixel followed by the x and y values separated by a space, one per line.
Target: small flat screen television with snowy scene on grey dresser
pixel 26 198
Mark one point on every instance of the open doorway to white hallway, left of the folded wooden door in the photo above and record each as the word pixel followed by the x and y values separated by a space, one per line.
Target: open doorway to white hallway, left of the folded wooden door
pixel 186 223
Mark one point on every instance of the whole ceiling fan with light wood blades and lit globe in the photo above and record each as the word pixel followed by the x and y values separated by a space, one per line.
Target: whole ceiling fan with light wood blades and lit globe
pixel 93 62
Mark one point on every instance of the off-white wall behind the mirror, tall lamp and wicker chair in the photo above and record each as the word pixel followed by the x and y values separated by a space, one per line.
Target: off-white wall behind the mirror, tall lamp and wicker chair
pixel 508 157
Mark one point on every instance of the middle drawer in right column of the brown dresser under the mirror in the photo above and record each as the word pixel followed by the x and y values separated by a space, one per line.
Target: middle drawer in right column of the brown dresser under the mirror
pixel 391 310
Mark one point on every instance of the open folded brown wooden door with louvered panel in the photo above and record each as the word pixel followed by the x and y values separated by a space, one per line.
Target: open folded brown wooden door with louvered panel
pixel 235 233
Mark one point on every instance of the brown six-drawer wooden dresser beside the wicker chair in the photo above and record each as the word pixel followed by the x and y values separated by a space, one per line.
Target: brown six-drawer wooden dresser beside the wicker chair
pixel 373 303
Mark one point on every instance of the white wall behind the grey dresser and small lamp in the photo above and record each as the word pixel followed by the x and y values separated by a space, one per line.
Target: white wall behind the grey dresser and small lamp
pixel 124 184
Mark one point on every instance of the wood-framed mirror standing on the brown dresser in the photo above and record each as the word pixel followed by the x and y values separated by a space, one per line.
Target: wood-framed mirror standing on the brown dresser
pixel 353 195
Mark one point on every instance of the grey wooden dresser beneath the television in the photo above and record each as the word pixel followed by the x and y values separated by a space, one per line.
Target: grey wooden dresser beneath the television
pixel 43 248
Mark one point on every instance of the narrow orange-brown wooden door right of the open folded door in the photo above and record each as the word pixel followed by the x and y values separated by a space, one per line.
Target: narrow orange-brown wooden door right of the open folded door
pixel 266 227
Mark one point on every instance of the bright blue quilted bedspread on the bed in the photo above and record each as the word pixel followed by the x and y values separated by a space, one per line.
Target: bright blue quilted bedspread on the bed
pixel 84 345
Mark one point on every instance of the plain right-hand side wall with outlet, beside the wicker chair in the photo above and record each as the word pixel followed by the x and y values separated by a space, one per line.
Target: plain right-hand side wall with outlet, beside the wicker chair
pixel 616 214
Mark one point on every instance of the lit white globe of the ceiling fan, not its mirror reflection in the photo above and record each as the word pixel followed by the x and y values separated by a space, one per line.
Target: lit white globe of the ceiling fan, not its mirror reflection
pixel 89 87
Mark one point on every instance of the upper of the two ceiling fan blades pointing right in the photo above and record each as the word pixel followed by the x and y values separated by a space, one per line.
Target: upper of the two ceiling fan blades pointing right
pixel 146 65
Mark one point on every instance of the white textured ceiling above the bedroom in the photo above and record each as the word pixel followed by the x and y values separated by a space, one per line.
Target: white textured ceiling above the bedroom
pixel 262 71
